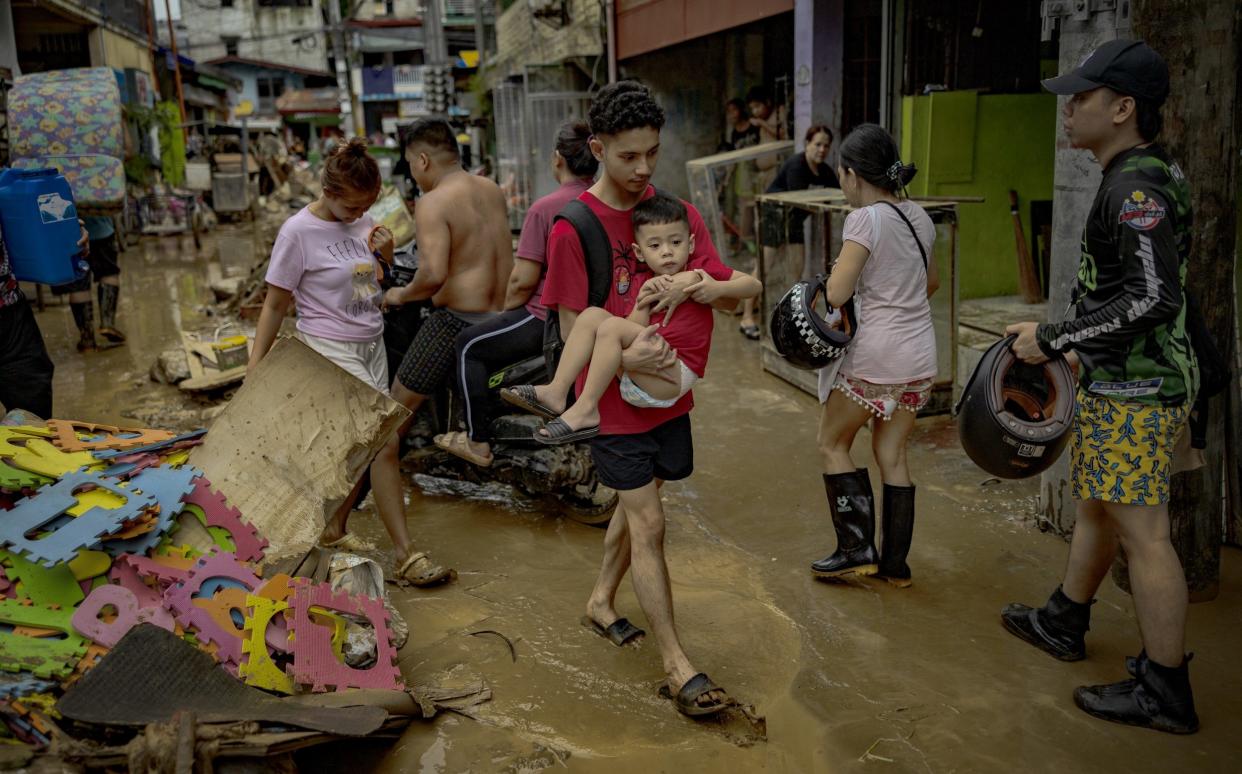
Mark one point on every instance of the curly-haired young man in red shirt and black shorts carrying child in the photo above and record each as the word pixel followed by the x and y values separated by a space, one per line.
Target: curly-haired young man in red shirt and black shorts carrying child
pixel 637 449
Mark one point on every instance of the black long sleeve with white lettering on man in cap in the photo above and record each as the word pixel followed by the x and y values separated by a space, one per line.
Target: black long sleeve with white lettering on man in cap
pixel 1151 289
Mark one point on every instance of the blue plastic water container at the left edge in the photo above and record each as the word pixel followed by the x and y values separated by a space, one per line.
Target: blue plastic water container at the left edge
pixel 40 227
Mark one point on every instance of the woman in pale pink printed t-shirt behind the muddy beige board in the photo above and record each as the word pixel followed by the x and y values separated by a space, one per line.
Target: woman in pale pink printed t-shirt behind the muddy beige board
pixel 325 259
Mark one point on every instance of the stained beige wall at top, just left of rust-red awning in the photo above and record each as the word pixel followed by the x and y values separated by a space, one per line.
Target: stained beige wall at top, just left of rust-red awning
pixel 524 40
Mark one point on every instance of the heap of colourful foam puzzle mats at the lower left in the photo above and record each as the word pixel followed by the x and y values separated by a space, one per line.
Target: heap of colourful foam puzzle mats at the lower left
pixel 94 522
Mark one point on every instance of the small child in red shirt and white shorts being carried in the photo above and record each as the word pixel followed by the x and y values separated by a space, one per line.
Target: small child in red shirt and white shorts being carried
pixel 664 243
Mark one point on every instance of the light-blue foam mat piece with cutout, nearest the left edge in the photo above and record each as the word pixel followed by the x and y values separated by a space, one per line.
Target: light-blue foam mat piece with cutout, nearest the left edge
pixel 54 501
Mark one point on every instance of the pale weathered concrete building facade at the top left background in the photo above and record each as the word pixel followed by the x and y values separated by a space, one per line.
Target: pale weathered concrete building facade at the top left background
pixel 206 28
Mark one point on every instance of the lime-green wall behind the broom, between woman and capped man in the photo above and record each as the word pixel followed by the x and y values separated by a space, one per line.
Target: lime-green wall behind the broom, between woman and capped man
pixel 1005 142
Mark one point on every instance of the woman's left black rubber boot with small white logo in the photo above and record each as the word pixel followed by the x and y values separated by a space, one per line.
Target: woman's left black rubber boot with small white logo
pixel 854 517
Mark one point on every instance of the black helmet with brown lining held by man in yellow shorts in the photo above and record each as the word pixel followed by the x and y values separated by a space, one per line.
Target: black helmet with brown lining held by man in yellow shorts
pixel 1014 419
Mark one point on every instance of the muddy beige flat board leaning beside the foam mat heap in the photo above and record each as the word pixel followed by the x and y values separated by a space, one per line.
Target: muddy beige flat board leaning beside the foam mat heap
pixel 292 443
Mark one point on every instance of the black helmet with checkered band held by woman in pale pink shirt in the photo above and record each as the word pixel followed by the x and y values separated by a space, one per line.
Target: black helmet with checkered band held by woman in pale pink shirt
pixel 802 336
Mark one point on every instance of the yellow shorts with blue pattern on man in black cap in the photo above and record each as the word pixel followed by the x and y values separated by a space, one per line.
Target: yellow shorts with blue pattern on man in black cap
pixel 1122 452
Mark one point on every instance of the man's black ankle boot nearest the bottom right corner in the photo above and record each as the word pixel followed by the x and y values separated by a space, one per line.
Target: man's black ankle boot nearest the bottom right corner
pixel 1157 698
